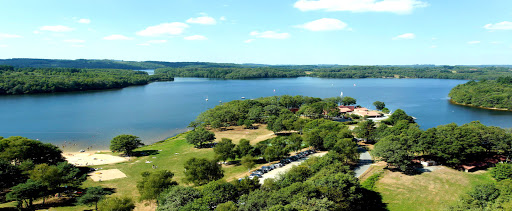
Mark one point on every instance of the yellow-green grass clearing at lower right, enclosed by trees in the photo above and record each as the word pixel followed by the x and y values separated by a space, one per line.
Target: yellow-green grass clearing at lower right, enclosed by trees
pixel 428 191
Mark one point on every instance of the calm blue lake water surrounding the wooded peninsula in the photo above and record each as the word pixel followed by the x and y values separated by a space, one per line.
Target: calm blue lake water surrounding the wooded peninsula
pixel 163 109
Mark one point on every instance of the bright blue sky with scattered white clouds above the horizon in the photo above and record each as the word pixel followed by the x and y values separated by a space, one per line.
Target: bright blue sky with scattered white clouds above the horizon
pixel 353 32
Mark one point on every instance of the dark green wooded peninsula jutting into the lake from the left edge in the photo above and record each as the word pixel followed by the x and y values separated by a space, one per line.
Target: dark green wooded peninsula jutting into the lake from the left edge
pixel 48 80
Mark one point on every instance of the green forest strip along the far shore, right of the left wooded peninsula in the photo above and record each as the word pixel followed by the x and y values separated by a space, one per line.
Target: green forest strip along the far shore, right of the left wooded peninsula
pixel 438 72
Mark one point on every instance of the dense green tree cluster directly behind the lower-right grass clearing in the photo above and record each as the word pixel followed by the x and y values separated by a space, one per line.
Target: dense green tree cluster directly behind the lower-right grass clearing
pixel 450 144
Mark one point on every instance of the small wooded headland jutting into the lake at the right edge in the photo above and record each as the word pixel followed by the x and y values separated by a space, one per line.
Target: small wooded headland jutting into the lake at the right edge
pixel 485 93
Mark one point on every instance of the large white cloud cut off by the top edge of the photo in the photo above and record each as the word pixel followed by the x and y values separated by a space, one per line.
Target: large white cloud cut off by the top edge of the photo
pixel 393 6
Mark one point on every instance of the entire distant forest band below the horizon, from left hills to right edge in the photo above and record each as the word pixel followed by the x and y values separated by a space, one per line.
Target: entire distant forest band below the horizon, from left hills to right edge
pixel 250 71
